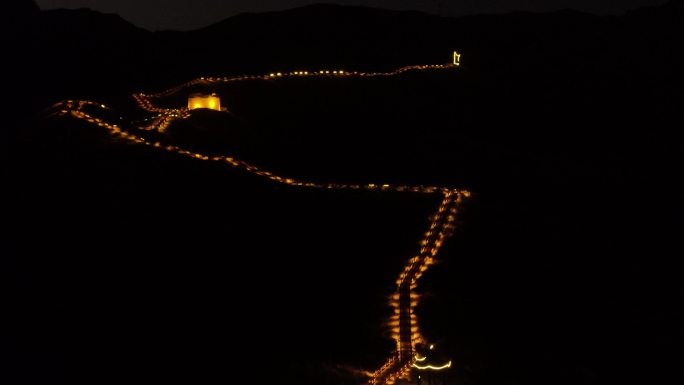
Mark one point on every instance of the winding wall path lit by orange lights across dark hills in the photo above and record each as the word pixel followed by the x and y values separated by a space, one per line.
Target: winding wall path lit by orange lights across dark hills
pixel 403 323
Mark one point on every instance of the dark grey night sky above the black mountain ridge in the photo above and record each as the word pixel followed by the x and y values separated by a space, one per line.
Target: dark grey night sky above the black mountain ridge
pixel 190 14
